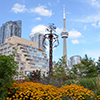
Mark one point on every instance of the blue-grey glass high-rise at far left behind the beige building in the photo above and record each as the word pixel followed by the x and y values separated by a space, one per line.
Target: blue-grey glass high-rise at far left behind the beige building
pixel 9 29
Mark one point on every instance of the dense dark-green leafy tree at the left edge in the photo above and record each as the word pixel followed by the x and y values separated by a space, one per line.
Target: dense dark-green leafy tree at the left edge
pixel 8 69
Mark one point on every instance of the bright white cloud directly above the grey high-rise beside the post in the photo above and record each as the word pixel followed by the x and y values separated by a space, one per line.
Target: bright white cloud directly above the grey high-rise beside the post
pixel 39 29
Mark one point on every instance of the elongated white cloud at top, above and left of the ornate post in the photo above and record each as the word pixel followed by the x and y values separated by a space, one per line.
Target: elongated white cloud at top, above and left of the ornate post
pixel 41 10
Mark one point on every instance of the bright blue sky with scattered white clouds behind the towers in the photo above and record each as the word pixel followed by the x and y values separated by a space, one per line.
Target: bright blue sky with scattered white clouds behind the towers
pixel 82 22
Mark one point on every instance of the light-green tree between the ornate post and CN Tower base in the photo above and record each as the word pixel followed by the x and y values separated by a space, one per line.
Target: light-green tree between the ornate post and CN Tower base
pixel 60 69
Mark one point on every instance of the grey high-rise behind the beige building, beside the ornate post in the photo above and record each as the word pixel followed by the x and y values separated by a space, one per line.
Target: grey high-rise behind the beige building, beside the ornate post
pixel 38 38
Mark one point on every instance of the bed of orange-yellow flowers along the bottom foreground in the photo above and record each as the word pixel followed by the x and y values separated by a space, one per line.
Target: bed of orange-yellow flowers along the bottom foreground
pixel 38 91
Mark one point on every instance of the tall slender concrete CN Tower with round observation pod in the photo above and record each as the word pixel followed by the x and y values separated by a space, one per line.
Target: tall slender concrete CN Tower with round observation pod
pixel 64 35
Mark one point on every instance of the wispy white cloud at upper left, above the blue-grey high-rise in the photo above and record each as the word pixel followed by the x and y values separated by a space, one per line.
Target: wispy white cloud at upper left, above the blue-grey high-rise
pixel 18 8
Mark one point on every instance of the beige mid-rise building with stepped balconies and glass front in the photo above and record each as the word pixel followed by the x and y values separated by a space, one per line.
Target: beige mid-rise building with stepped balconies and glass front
pixel 29 56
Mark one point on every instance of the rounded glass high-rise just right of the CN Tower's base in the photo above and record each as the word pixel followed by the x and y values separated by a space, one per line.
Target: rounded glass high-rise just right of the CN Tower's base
pixel 74 60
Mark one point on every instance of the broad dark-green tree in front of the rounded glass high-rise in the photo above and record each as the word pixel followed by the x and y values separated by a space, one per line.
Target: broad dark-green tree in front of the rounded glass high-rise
pixel 86 68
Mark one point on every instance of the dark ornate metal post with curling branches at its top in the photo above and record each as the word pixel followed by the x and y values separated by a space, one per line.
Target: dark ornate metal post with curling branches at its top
pixel 52 38
